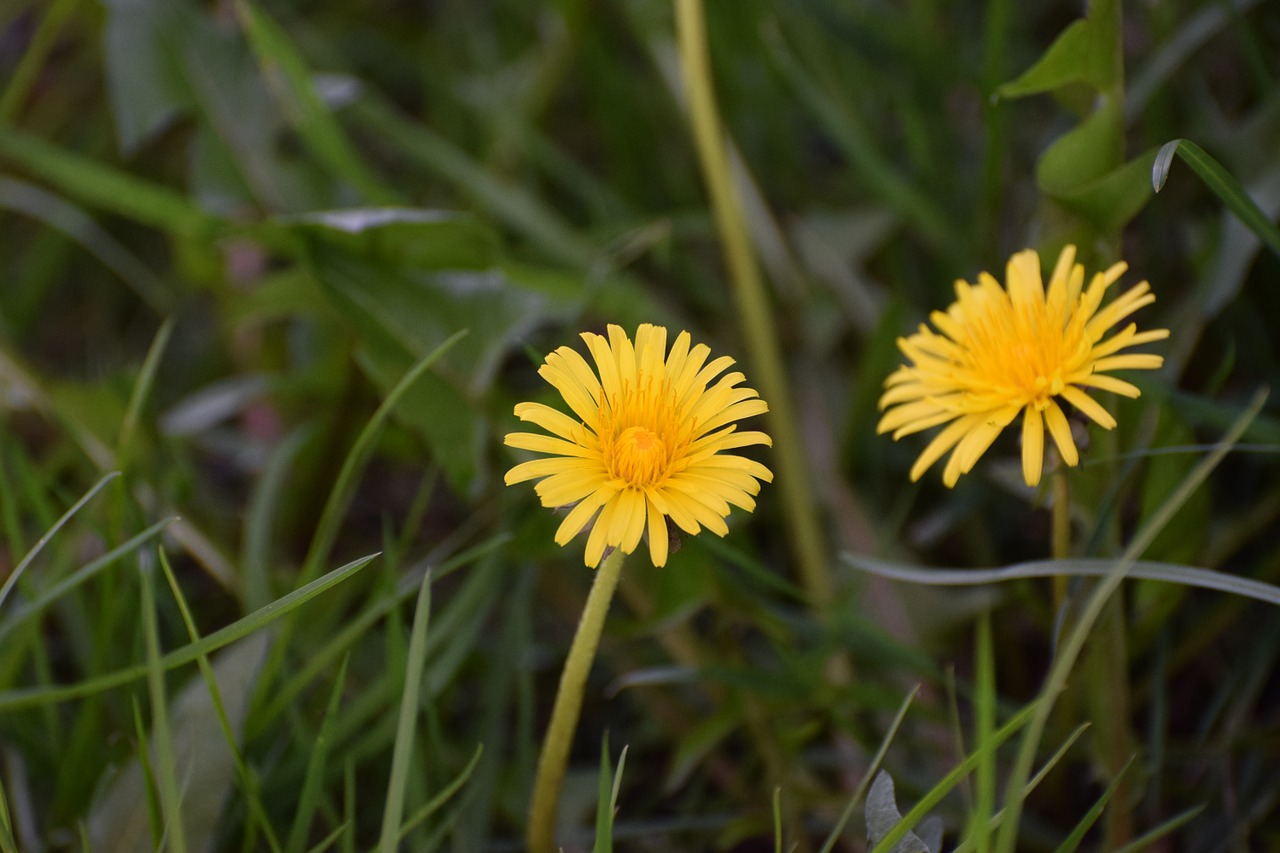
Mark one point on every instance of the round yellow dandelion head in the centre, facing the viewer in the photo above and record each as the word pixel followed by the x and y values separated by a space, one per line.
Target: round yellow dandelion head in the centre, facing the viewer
pixel 647 445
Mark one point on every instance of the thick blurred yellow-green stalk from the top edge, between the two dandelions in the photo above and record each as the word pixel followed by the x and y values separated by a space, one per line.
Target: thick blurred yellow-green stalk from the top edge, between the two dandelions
pixel 753 304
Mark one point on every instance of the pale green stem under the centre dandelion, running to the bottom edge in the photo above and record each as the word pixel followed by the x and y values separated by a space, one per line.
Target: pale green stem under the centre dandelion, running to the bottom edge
pixel 569 704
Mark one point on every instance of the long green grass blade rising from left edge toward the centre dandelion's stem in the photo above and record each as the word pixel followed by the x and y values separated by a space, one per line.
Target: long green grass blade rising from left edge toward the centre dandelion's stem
pixel 28 699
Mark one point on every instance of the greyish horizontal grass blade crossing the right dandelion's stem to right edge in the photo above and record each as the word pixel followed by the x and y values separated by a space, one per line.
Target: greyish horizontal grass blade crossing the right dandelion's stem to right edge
pixel 1077 568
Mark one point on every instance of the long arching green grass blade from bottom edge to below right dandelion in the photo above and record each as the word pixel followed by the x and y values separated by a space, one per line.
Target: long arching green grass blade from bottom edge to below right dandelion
pixel 1071 649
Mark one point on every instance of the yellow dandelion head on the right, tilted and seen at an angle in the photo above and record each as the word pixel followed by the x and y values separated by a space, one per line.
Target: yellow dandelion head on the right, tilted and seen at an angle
pixel 1003 353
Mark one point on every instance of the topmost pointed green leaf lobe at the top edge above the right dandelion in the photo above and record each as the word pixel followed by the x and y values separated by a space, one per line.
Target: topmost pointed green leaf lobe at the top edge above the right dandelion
pixel 1087 52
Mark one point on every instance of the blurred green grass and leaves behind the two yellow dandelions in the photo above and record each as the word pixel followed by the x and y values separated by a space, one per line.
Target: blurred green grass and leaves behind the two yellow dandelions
pixel 239 240
